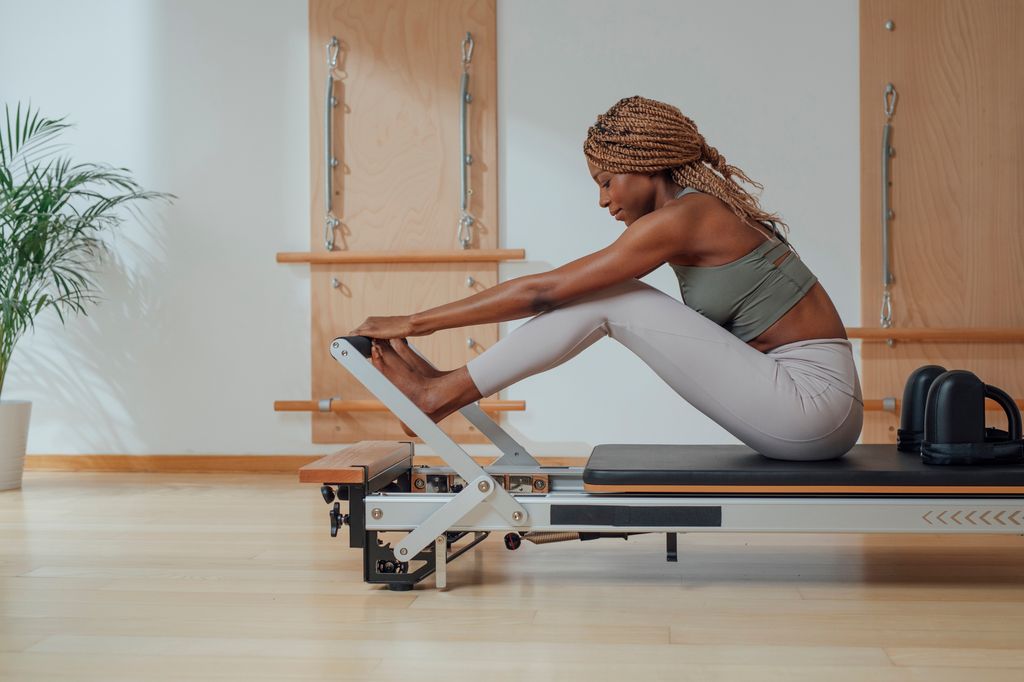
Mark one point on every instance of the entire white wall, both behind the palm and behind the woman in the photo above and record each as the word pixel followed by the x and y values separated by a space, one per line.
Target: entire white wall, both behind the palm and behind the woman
pixel 202 331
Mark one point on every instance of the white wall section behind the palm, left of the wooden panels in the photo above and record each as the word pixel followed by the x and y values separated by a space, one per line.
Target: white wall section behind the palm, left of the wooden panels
pixel 202 331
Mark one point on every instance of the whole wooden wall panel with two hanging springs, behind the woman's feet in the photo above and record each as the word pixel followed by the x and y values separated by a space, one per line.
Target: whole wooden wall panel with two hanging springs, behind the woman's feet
pixel 397 188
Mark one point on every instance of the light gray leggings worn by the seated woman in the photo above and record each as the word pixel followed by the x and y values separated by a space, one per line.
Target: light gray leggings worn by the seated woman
pixel 799 402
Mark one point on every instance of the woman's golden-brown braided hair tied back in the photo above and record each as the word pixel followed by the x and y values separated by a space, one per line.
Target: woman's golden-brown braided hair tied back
pixel 641 136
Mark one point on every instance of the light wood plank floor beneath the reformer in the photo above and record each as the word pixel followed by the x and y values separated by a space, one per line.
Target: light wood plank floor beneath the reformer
pixel 154 577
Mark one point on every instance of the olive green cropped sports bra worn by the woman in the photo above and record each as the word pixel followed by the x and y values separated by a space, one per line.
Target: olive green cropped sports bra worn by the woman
pixel 748 295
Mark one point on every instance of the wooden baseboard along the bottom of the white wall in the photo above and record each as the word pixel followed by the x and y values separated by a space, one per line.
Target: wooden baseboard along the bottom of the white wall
pixel 219 463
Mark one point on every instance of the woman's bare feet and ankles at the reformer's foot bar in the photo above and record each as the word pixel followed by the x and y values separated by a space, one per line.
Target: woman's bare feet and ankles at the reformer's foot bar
pixel 438 397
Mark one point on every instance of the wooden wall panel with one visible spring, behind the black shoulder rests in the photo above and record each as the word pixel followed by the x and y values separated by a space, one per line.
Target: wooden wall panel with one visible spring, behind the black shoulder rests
pixel 957 242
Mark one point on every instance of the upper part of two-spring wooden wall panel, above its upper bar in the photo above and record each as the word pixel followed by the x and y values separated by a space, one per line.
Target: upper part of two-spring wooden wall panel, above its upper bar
pixel 397 124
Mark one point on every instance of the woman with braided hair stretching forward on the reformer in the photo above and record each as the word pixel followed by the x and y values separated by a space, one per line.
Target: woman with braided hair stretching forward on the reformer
pixel 756 346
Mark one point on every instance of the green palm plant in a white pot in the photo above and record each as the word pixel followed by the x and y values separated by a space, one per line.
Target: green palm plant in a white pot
pixel 53 215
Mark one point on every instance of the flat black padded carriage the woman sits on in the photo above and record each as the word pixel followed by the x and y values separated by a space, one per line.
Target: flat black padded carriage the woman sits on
pixel 866 471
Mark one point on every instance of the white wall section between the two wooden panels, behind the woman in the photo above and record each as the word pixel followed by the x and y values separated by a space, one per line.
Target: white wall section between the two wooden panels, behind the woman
pixel 773 86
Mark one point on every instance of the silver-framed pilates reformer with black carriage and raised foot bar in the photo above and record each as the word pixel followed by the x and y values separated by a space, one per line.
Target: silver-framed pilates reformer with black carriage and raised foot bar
pixel 626 490
